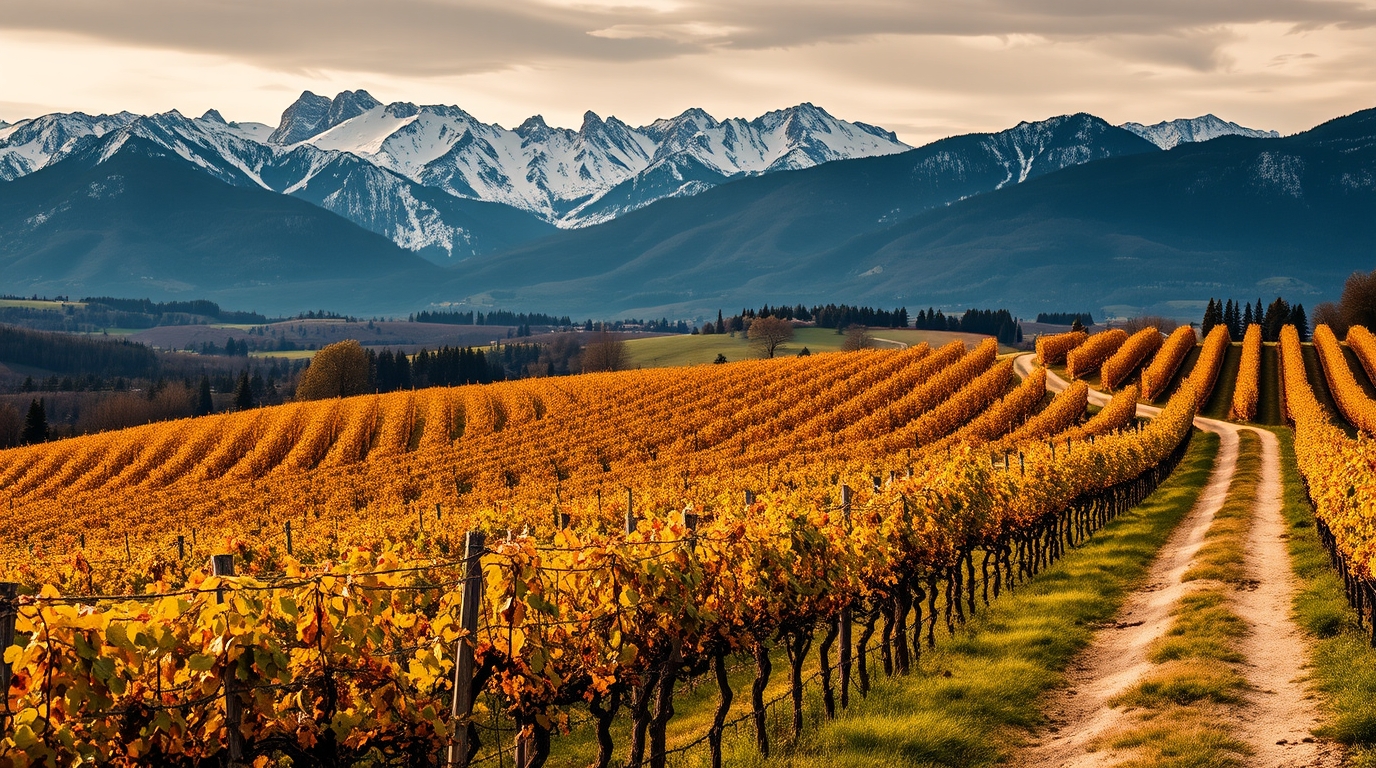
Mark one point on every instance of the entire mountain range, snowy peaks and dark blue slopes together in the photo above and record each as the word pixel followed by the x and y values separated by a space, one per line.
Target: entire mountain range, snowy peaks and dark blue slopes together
pixel 679 217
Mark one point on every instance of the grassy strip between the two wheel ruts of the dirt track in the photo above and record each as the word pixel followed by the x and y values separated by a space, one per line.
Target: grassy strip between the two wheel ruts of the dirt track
pixel 1187 704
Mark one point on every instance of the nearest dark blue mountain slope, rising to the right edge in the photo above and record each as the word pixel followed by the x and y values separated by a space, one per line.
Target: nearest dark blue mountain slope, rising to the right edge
pixel 1234 217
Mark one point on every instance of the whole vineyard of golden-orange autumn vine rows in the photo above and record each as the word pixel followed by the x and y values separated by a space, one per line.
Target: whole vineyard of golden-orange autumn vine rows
pixel 394 573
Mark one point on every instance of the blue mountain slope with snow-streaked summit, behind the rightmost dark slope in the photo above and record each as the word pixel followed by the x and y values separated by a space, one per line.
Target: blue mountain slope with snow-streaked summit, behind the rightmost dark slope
pixel 700 251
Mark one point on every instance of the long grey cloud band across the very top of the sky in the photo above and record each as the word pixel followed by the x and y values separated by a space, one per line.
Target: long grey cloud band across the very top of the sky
pixel 445 38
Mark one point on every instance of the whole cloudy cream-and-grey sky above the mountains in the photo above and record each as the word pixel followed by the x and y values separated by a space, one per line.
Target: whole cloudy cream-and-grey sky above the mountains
pixel 923 68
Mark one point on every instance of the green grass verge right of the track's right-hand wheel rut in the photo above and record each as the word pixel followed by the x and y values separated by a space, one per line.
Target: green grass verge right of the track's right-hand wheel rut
pixel 1344 663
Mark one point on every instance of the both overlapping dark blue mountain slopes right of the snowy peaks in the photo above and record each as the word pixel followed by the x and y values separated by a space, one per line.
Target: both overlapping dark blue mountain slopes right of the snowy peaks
pixel 1148 231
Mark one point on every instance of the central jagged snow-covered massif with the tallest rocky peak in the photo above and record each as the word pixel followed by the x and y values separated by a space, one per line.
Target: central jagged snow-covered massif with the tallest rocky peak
pixel 562 175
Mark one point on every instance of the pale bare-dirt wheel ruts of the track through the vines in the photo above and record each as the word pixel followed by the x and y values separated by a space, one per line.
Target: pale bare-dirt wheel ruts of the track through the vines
pixel 1280 715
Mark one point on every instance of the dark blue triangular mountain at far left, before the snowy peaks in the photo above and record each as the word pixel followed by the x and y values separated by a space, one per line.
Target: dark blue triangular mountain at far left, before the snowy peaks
pixel 144 222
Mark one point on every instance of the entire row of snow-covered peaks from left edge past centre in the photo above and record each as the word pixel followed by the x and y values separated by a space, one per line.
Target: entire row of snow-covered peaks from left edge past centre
pixel 440 182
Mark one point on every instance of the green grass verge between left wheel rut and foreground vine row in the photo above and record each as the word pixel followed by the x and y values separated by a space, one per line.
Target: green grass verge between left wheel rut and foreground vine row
pixel 978 694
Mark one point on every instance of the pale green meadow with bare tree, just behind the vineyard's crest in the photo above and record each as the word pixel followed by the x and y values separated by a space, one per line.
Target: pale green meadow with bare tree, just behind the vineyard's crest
pixel 667 352
